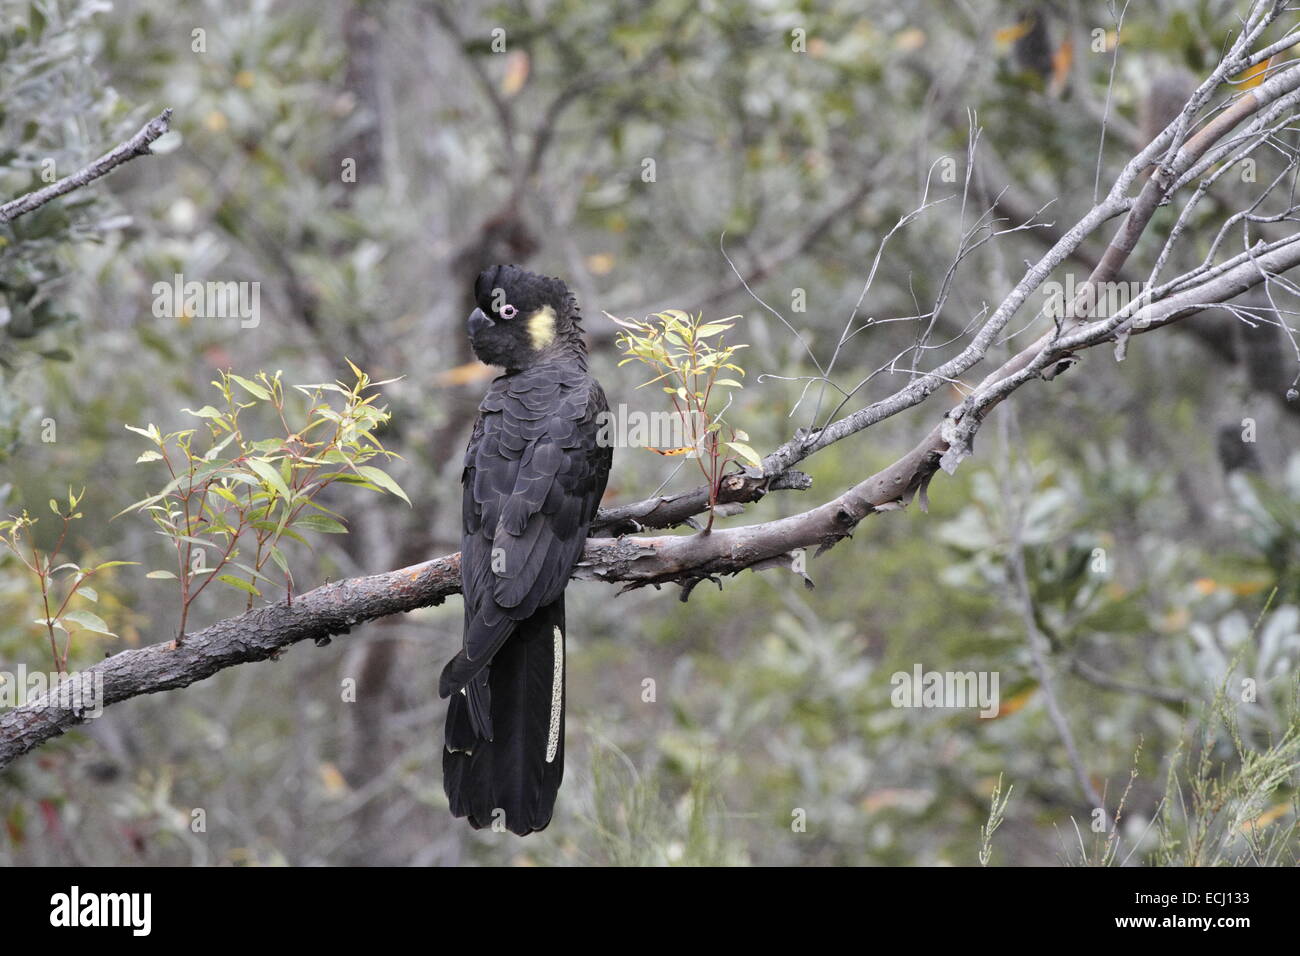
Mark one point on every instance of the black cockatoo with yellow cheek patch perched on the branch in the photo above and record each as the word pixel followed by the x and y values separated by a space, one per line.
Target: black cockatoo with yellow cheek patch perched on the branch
pixel 535 473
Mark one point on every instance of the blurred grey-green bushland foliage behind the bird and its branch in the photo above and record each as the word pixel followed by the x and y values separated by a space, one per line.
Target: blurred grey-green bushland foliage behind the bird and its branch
pixel 1162 550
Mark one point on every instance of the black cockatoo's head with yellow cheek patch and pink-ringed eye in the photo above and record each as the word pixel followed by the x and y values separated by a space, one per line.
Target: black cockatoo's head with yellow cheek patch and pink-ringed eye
pixel 522 318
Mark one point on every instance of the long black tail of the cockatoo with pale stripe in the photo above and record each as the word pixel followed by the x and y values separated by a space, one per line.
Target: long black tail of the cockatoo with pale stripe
pixel 506 771
